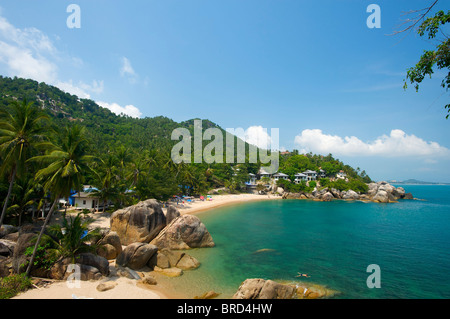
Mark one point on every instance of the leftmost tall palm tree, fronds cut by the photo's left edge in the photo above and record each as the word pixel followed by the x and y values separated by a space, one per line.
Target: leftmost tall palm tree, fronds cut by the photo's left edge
pixel 21 130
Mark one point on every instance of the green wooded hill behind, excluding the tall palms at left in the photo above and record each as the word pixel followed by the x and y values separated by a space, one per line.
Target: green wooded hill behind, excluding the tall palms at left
pixel 135 153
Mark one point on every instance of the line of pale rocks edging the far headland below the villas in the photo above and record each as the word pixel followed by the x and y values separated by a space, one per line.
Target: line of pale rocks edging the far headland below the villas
pixel 380 192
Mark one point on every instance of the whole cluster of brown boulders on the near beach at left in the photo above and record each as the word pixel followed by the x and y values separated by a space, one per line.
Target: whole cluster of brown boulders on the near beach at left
pixel 141 237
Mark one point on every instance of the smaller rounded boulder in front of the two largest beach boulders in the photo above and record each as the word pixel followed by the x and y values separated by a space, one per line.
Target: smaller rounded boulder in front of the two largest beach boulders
pixel 136 255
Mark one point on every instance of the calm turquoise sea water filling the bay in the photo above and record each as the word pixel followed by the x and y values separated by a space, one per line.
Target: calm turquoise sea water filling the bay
pixel 332 242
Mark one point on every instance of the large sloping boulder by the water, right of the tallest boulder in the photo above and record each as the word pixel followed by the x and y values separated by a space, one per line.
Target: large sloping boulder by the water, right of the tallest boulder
pixel 184 232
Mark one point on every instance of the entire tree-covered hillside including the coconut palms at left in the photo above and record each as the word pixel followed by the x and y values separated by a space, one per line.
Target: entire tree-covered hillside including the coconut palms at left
pixel 52 142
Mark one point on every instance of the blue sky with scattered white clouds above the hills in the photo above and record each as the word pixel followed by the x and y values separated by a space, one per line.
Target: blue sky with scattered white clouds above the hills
pixel 313 69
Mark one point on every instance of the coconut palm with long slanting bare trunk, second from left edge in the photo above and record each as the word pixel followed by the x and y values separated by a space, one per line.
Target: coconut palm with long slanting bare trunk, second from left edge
pixel 66 164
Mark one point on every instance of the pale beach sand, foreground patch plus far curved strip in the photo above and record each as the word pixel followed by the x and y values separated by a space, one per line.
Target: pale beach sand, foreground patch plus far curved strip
pixel 128 288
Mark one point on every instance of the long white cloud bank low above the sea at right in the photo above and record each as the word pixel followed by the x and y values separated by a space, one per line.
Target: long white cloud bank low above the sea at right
pixel 397 144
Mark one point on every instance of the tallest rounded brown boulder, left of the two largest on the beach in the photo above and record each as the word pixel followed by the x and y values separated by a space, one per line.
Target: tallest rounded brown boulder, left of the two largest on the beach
pixel 139 223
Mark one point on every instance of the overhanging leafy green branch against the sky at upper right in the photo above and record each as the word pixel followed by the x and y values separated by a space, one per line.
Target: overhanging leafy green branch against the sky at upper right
pixel 440 57
